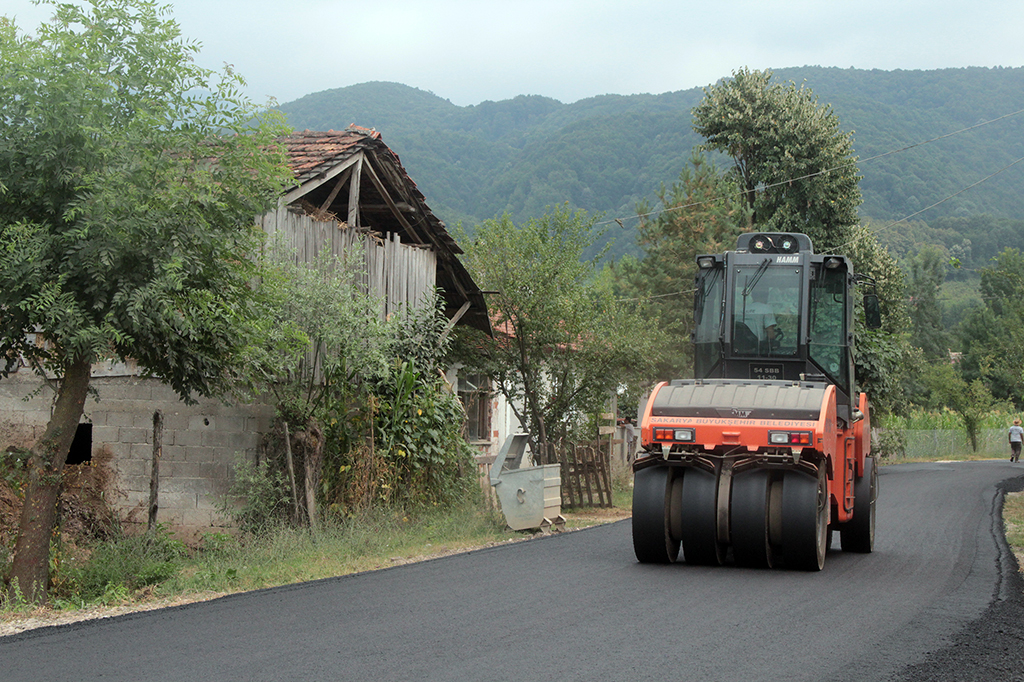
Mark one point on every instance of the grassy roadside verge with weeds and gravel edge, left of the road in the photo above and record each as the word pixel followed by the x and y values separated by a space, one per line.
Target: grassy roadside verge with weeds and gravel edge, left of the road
pixel 105 568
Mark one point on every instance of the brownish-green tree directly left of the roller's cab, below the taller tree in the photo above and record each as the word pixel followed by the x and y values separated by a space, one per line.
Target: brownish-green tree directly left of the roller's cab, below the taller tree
pixel 701 214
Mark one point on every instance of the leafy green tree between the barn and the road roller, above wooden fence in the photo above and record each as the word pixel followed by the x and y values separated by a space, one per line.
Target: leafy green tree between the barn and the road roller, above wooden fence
pixel 561 345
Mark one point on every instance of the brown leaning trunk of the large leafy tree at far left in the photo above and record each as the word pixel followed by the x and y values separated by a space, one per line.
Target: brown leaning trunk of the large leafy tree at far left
pixel 30 570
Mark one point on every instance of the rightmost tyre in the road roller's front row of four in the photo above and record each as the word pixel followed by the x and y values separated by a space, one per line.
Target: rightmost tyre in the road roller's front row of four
pixel 805 520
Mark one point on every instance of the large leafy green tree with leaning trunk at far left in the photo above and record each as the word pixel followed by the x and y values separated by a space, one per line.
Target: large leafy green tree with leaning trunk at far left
pixel 131 183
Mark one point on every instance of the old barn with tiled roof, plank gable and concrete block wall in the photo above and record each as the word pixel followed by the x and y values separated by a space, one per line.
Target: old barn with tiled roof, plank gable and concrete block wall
pixel 351 192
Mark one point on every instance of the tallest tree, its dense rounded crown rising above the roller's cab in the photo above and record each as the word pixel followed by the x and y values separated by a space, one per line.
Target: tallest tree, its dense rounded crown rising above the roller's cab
pixel 793 163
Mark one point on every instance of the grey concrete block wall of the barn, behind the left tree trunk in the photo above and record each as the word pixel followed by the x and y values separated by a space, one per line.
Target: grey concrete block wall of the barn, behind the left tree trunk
pixel 200 443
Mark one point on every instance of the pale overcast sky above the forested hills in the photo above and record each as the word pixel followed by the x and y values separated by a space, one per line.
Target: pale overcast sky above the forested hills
pixel 474 51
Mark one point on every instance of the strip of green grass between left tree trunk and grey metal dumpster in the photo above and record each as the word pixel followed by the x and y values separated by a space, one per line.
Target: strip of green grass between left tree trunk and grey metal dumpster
pixel 138 568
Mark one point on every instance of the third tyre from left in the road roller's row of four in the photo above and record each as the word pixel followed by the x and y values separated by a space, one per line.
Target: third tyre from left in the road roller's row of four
pixel 749 520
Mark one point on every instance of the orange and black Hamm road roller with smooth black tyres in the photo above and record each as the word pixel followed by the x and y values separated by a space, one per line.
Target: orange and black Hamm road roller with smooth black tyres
pixel 767 451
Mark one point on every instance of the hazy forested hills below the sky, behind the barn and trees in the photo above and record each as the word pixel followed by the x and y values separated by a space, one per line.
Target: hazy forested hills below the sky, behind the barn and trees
pixel 608 153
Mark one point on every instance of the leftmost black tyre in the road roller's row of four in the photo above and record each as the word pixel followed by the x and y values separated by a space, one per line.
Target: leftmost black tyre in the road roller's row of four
pixel 653 541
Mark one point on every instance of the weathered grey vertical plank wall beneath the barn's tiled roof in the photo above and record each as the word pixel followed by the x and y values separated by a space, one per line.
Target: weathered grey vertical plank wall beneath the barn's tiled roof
pixel 399 274
